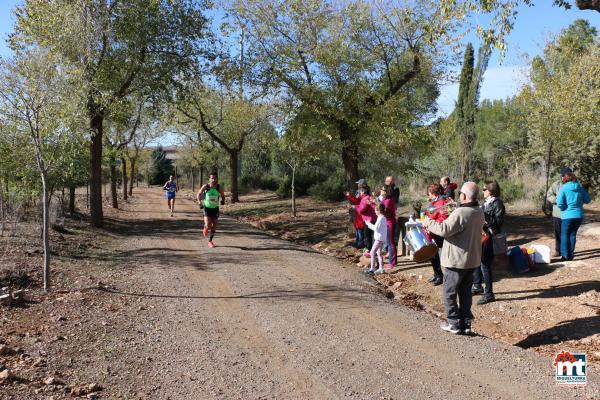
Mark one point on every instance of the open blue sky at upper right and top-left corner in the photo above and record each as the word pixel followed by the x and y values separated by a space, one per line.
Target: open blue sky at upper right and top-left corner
pixel 533 27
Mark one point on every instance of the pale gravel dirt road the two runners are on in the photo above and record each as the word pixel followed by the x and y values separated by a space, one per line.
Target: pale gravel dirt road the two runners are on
pixel 261 318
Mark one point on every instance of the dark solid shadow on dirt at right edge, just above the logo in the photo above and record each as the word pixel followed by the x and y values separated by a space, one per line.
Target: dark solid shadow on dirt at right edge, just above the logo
pixel 574 329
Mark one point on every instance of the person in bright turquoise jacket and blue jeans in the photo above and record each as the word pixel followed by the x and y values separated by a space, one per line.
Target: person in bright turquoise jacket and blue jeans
pixel 570 200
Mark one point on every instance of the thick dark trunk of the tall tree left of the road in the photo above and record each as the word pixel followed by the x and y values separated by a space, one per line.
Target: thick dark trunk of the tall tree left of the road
pixel 96 213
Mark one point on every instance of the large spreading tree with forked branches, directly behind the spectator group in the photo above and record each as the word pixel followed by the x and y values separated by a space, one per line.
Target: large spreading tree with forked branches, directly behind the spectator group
pixel 357 65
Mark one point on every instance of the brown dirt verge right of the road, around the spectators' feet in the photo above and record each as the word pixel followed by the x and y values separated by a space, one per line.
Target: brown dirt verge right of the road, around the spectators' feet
pixel 554 307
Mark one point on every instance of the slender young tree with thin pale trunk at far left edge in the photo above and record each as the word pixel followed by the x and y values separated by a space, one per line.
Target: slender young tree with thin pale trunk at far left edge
pixel 38 100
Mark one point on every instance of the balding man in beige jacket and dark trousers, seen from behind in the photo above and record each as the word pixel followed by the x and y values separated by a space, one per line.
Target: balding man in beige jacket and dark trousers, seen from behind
pixel 461 254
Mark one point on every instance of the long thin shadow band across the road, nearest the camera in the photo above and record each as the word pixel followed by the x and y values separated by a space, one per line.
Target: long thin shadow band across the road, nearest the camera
pixel 325 292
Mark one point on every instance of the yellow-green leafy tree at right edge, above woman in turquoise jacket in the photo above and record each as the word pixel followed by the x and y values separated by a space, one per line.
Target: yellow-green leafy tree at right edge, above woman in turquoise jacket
pixel 562 97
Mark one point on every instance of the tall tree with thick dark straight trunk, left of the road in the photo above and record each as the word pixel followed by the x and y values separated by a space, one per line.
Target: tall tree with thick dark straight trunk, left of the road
pixel 121 48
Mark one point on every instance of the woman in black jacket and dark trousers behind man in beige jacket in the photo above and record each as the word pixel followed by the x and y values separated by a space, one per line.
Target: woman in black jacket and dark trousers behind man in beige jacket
pixel 493 210
